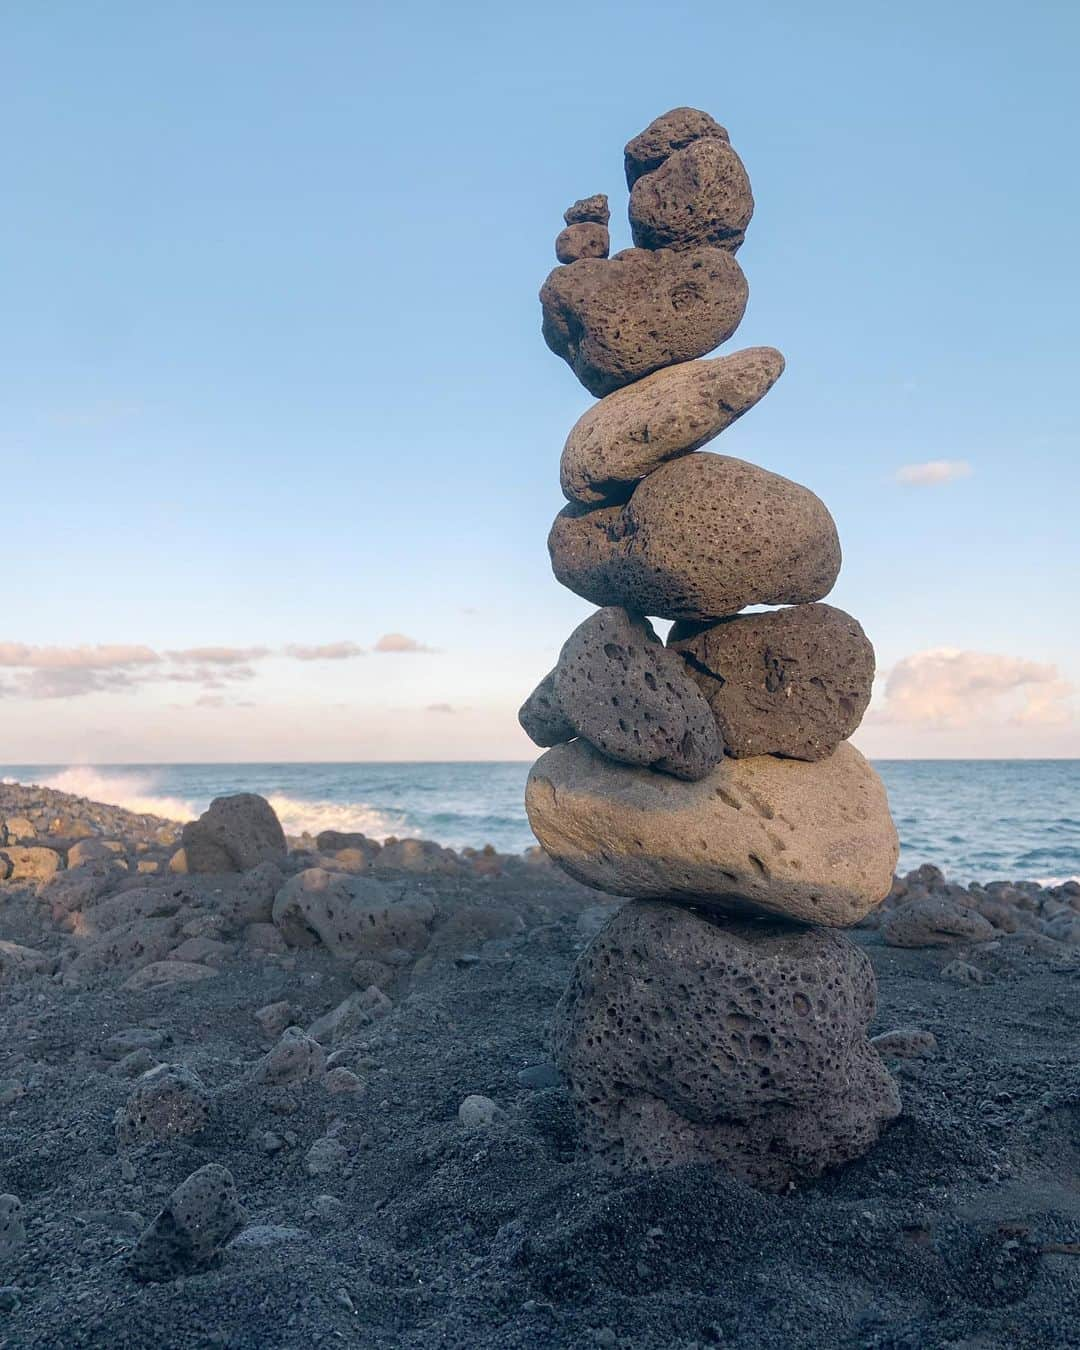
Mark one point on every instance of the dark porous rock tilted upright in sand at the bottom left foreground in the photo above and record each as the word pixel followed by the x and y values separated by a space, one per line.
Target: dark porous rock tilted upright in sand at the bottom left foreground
pixel 202 1216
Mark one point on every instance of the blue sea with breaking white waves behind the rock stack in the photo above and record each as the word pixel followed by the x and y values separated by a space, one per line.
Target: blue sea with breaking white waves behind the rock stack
pixel 978 820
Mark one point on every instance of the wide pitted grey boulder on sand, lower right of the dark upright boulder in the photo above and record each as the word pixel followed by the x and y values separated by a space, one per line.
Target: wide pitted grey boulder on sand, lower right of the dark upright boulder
pixel 354 916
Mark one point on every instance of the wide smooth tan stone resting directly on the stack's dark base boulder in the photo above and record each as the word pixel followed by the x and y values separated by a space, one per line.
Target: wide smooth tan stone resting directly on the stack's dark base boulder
pixel 809 842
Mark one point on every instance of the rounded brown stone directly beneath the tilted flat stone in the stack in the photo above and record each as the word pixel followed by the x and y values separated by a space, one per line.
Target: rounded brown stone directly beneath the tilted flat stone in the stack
pixel 701 538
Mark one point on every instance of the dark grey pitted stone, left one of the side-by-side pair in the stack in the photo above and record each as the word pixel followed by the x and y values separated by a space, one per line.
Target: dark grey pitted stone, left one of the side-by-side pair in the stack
pixel 634 700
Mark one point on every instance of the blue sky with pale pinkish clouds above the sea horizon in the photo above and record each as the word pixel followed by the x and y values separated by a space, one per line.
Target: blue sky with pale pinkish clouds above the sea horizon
pixel 279 431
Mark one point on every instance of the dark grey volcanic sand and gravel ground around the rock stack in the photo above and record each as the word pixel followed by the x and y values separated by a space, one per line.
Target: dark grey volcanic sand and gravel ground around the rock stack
pixel 961 1229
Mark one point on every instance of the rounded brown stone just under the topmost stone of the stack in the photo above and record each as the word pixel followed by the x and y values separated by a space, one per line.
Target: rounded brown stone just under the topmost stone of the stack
pixel 699 196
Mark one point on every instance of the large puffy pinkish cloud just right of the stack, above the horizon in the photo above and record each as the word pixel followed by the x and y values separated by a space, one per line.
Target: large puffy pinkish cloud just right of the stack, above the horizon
pixel 948 689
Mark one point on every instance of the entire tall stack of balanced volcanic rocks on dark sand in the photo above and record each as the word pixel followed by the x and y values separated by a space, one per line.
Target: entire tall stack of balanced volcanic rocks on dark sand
pixel 720 1016
